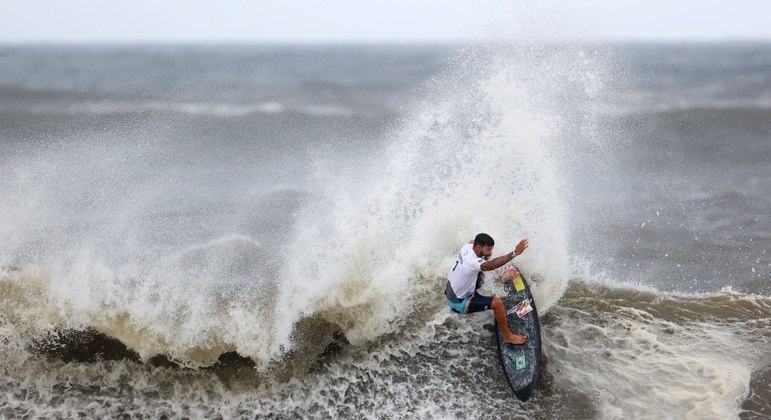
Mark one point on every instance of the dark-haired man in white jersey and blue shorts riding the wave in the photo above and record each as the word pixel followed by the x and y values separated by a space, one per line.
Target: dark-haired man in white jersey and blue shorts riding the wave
pixel 466 277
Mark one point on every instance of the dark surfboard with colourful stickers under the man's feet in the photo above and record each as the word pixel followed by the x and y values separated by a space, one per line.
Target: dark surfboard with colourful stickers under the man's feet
pixel 521 364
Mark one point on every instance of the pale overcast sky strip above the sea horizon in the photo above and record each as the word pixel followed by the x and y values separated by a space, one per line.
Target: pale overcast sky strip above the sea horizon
pixel 380 21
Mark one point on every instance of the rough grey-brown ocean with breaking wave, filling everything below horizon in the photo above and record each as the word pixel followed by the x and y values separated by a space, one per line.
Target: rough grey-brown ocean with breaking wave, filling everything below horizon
pixel 263 231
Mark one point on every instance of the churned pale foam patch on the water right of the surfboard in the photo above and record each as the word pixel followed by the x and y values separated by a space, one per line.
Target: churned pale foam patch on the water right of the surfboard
pixel 689 370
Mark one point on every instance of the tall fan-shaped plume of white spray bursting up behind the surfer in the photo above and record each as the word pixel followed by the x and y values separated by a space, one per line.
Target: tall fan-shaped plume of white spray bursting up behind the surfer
pixel 483 149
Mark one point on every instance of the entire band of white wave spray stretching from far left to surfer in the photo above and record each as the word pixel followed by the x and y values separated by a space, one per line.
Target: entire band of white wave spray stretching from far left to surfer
pixel 481 147
